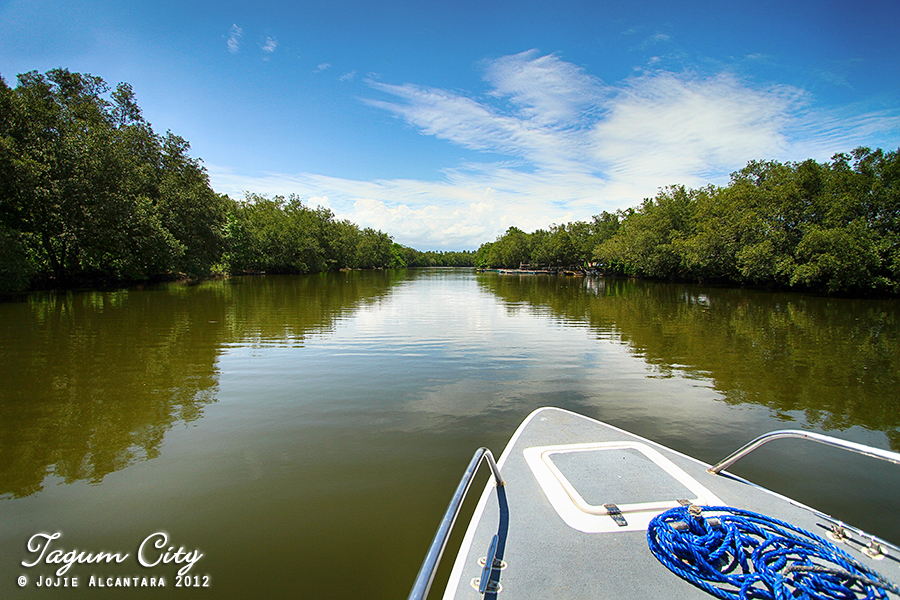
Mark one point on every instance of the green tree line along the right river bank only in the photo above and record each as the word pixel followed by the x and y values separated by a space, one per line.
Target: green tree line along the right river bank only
pixel 828 227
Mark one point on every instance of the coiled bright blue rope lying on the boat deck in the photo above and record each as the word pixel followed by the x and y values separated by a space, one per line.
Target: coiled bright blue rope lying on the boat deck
pixel 738 554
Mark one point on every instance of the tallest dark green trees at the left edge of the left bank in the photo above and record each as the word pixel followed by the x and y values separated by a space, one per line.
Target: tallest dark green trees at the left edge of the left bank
pixel 93 192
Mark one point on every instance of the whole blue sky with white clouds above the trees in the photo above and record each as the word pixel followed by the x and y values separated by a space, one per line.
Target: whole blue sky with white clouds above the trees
pixel 443 124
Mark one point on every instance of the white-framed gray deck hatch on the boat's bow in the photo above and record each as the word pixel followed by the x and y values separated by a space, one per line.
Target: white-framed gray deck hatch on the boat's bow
pixel 579 479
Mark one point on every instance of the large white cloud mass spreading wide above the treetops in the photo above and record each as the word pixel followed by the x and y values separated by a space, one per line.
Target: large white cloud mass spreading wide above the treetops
pixel 576 146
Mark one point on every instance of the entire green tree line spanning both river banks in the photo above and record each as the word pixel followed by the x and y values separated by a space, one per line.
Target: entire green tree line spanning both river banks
pixel 89 193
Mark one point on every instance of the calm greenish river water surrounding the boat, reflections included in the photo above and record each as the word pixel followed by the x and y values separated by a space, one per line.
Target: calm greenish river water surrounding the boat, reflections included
pixel 304 434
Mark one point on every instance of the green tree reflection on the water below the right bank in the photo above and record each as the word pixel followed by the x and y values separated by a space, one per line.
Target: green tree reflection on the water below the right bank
pixel 835 361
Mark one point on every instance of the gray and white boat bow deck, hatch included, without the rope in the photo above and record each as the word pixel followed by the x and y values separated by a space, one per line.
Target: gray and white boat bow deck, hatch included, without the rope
pixel 556 538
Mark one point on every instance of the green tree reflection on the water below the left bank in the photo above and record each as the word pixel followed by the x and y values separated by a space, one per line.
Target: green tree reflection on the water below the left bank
pixel 91 382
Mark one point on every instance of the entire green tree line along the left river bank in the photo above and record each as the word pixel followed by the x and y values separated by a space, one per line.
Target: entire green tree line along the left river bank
pixel 90 194
